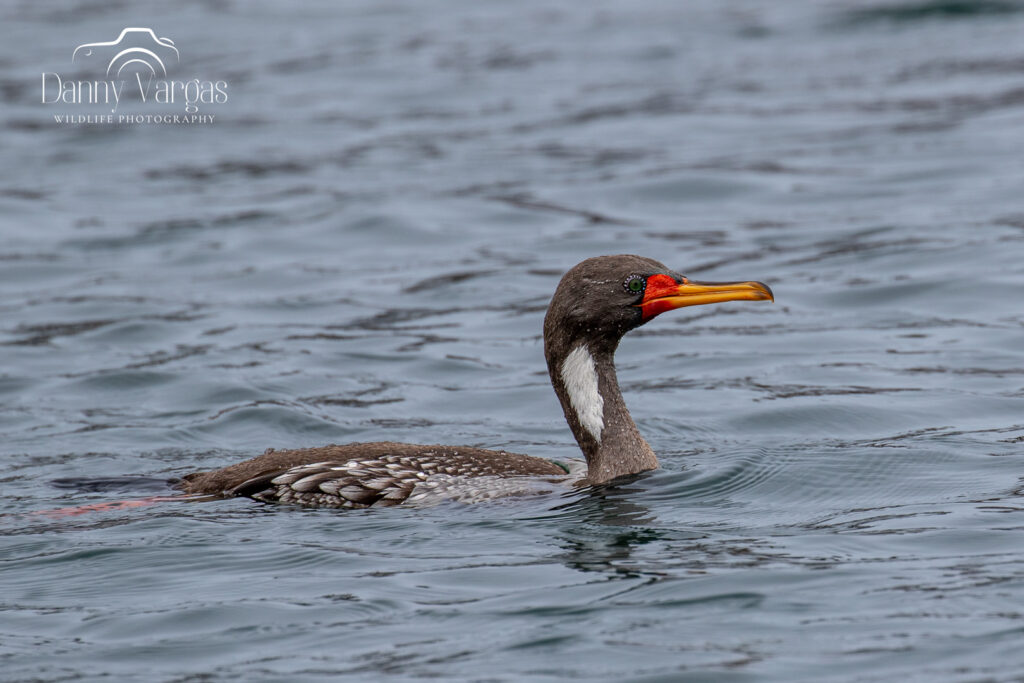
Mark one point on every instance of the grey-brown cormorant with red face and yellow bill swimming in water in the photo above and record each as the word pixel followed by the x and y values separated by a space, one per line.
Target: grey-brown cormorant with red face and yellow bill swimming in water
pixel 596 303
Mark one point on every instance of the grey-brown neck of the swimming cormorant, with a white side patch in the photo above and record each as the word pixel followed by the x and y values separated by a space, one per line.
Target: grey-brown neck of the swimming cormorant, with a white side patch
pixel 588 389
